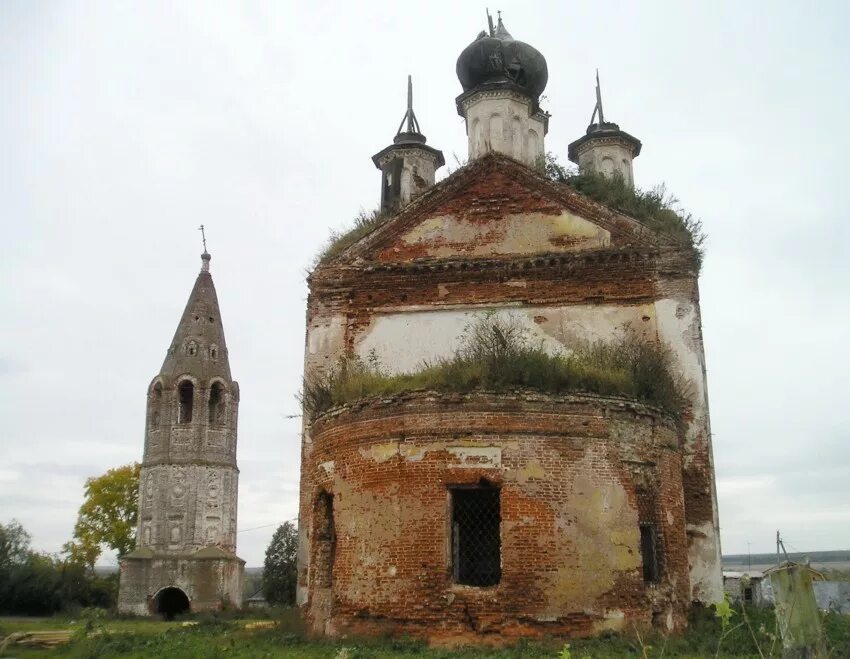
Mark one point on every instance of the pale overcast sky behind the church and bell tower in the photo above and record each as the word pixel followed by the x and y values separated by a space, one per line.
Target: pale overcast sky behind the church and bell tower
pixel 125 125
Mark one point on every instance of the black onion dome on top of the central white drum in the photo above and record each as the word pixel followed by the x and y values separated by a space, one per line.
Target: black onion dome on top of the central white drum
pixel 499 58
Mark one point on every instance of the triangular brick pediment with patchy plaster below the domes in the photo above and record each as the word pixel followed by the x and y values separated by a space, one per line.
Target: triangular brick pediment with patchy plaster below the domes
pixel 497 208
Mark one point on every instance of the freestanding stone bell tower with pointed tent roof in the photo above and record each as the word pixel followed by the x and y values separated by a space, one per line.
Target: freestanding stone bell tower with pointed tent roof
pixel 186 539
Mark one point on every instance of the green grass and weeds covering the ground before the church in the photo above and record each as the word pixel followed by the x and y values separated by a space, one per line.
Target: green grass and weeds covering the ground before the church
pixel 225 638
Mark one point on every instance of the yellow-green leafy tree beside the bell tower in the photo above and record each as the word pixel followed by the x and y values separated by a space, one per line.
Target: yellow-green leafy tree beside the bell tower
pixel 108 516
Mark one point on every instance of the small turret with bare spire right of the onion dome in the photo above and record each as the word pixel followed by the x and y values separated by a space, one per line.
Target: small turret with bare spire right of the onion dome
pixel 605 148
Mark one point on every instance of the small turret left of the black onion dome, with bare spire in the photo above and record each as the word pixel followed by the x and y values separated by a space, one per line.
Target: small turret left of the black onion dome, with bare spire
pixel 408 167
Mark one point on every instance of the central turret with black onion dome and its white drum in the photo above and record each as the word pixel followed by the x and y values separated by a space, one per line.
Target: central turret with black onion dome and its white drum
pixel 502 80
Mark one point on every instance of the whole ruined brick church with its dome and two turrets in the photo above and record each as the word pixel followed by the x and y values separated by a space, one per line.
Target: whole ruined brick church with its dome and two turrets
pixel 520 513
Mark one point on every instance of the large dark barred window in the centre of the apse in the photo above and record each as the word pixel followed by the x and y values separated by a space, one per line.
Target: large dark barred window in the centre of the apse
pixel 476 544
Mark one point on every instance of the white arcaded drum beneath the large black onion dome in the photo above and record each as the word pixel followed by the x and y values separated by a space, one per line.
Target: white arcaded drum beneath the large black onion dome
pixel 501 121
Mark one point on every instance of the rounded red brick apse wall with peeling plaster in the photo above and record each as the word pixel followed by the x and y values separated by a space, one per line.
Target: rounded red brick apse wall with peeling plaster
pixel 569 470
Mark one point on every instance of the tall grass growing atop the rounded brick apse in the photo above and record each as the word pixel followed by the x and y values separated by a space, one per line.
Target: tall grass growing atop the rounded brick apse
pixel 497 354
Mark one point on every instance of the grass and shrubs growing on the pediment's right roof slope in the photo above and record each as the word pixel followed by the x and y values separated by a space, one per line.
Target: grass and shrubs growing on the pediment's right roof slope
pixel 656 208
